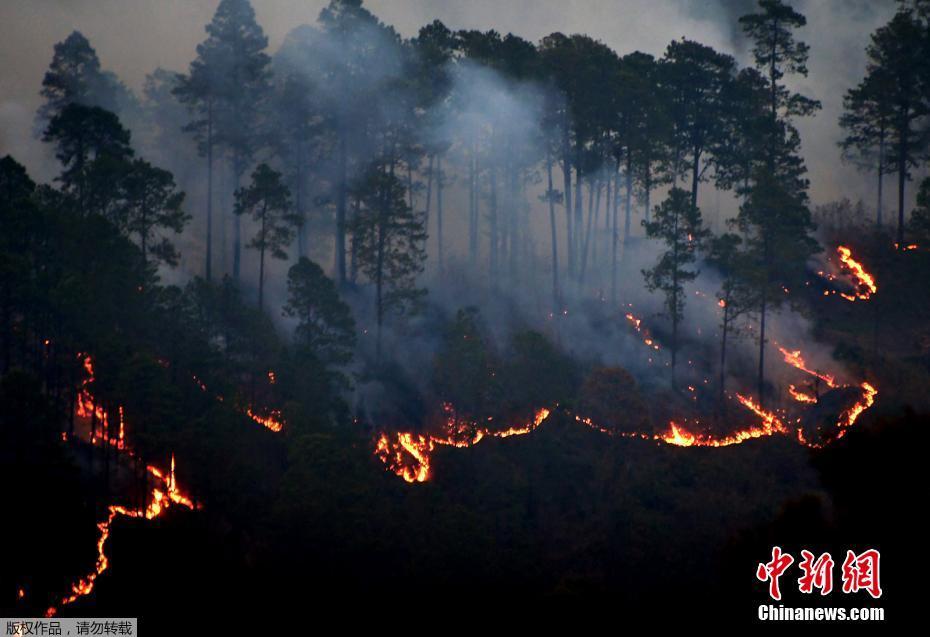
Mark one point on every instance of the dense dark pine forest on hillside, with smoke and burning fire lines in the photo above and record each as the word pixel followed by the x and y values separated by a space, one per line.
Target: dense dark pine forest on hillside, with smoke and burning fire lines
pixel 439 321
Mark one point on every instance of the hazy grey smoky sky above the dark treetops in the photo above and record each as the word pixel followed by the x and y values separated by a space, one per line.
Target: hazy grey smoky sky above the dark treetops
pixel 133 37
